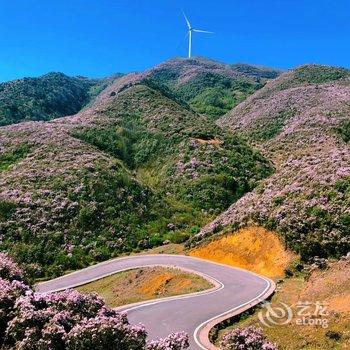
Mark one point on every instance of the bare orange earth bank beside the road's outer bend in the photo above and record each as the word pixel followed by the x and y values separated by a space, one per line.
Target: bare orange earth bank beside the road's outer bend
pixel 251 248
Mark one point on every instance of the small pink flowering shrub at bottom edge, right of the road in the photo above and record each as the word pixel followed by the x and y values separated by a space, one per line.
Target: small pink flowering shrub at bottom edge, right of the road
pixel 250 338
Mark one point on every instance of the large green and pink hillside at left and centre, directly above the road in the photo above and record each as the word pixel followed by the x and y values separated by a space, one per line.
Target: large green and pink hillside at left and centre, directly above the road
pixel 134 169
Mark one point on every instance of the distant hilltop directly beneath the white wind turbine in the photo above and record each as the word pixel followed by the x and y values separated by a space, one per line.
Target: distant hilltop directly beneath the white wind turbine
pixel 209 87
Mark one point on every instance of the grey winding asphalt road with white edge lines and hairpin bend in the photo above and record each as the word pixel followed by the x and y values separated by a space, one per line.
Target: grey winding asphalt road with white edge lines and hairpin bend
pixel 235 290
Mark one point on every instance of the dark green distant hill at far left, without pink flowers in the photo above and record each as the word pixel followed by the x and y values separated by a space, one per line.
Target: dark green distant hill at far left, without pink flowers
pixel 50 96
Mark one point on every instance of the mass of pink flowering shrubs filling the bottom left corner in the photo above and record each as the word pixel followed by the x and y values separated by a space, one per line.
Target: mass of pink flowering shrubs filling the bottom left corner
pixel 67 320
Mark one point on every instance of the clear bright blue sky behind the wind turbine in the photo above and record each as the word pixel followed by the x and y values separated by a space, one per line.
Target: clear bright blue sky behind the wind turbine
pixel 100 37
